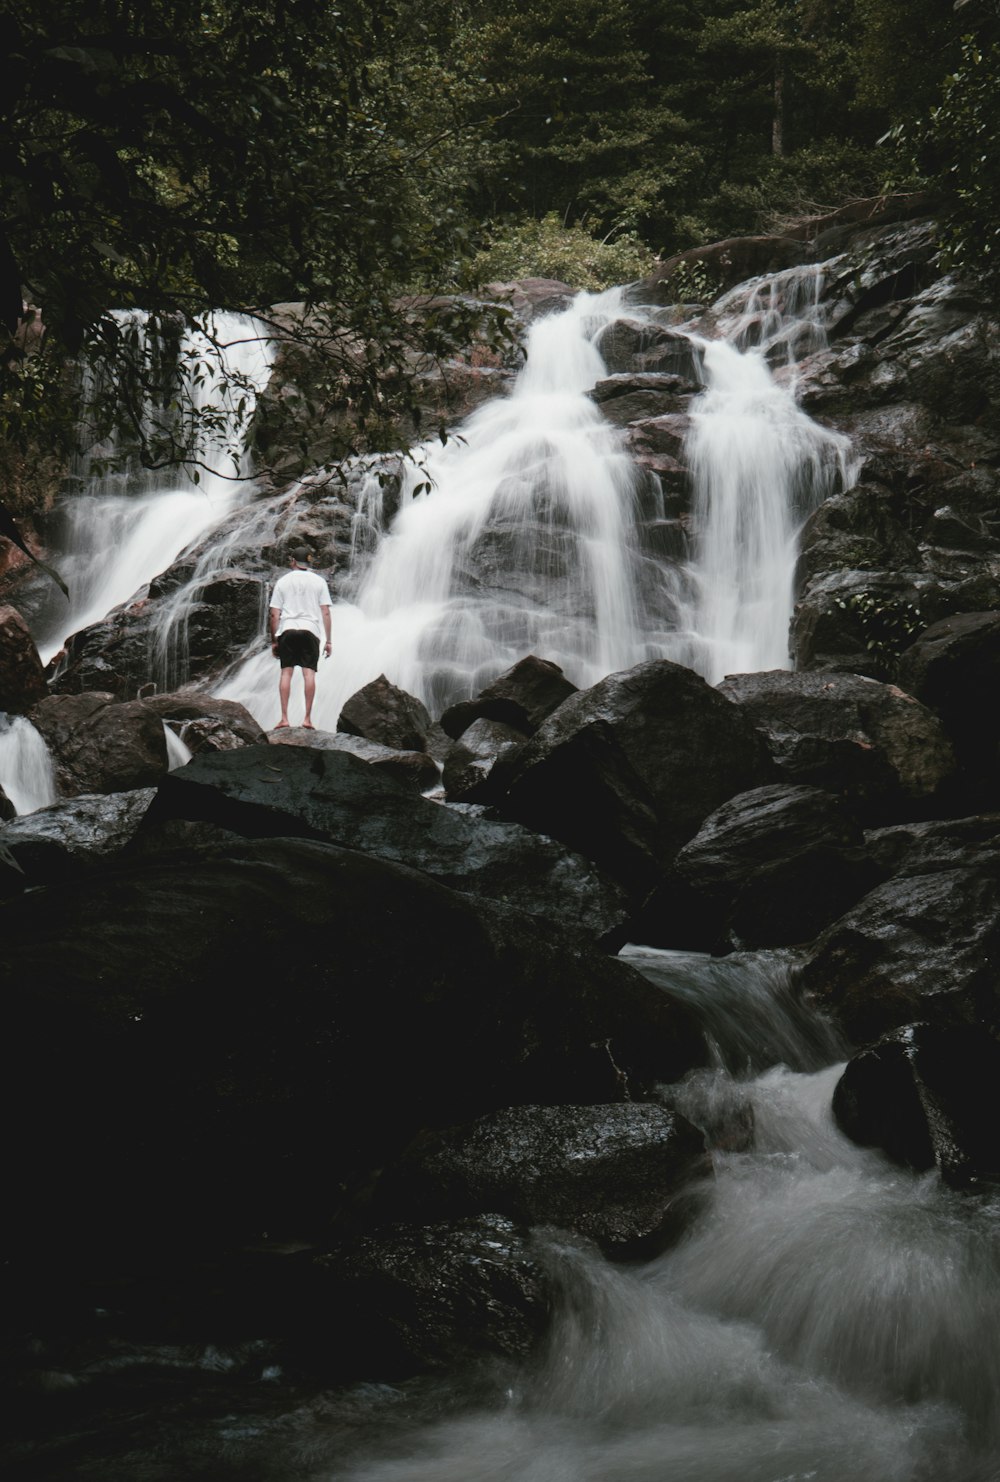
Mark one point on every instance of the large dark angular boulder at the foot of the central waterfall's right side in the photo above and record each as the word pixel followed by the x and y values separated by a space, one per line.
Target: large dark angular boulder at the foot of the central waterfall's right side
pixel 629 770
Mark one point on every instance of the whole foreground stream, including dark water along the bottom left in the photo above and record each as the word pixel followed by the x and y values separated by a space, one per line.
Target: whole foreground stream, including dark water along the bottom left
pixel 826 1318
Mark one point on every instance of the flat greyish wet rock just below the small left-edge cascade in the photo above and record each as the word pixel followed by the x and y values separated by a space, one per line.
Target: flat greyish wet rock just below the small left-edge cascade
pixel 64 840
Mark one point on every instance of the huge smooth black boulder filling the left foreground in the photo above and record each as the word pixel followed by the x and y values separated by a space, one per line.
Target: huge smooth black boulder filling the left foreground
pixel 242 1003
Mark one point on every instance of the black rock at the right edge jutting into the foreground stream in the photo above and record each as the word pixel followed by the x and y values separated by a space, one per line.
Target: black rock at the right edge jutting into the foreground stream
pixel 930 1097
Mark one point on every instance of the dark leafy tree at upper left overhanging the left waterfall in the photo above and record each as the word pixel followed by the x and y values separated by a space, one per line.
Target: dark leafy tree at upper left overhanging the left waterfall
pixel 179 156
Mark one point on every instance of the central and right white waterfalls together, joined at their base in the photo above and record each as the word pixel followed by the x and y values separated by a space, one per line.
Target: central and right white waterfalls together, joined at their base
pixel 524 534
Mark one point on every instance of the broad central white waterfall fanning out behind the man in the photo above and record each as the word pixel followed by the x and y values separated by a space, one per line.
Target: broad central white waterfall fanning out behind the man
pixel 516 537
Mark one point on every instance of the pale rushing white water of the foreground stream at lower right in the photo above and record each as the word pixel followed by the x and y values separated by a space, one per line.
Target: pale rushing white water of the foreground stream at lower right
pixel 827 1317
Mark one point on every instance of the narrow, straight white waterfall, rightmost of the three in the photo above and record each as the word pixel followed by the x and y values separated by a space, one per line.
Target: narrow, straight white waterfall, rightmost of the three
pixel 759 466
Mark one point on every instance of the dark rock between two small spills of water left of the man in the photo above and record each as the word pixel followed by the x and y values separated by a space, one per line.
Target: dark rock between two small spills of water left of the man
pixel 99 746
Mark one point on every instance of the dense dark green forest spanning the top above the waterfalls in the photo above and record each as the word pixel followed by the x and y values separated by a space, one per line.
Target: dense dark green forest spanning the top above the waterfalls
pixel 180 155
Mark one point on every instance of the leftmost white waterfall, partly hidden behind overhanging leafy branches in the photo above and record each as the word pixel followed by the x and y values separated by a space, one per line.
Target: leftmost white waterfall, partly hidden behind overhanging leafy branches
pixel 127 525
